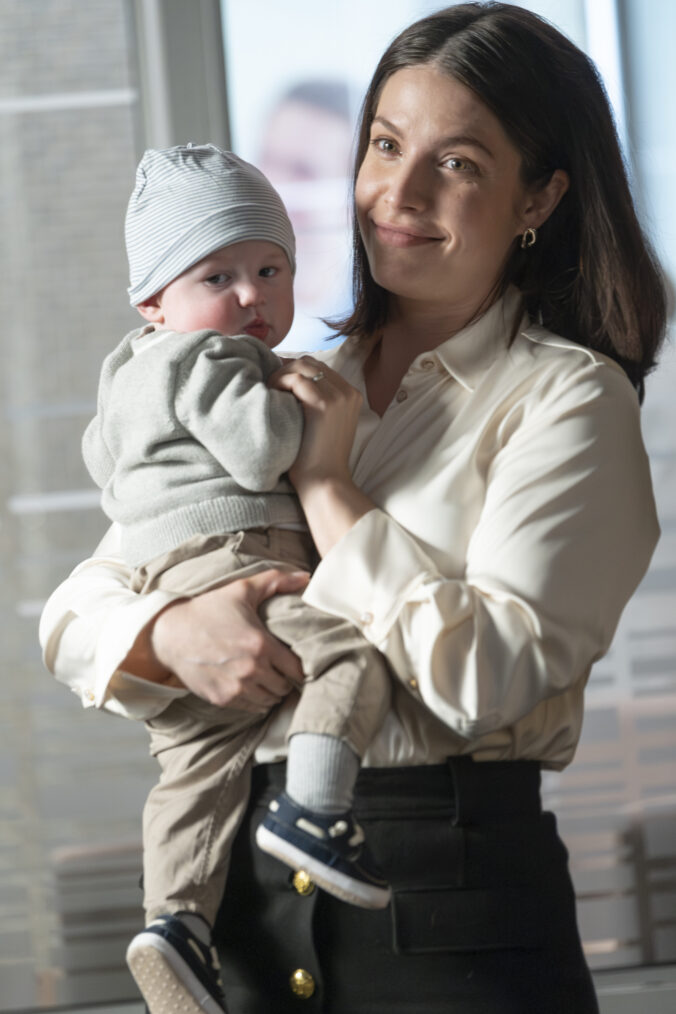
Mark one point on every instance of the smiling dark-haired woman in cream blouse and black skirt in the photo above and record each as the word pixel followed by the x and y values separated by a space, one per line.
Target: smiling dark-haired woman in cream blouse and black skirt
pixel 475 480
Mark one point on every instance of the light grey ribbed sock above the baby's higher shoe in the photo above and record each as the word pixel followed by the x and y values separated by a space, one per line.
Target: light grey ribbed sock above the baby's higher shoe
pixel 322 772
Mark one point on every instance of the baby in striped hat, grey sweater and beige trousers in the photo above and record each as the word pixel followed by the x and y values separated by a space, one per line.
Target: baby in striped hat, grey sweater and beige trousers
pixel 190 448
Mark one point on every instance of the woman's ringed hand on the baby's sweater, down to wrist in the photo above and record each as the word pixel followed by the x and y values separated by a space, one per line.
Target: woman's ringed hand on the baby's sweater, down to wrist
pixel 332 410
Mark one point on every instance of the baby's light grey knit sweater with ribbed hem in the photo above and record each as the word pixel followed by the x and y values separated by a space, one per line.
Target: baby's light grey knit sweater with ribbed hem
pixel 188 440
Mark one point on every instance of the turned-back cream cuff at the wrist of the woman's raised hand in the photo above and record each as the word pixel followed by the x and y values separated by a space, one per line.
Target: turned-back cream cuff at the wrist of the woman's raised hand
pixel 370 574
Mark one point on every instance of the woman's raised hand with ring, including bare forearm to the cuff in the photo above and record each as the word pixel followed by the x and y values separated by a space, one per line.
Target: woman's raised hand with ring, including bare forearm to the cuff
pixel 321 474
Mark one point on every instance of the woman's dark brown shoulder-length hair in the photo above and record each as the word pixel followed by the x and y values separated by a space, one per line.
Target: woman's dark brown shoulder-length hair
pixel 592 276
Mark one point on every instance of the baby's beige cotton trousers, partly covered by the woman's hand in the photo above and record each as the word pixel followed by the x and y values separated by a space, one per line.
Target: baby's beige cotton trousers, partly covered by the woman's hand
pixel 205 753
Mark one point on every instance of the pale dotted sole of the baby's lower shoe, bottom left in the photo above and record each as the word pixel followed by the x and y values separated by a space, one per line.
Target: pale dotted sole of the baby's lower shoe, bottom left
pixel 168 984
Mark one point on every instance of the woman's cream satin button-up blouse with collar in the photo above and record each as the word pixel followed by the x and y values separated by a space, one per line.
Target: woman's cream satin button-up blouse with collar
pixel 515 519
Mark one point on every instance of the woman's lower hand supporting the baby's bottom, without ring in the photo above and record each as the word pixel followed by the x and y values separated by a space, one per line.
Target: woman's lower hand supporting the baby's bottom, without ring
pixel 217 646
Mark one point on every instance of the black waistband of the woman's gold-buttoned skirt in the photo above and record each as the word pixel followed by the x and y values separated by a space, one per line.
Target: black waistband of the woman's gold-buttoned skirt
pixel 467 791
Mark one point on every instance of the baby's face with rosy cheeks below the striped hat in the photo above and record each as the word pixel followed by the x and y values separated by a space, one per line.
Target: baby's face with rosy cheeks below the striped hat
pixel 243 289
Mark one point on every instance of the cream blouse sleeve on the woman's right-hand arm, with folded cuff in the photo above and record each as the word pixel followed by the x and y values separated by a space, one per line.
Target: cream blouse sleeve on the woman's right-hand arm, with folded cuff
pixel 566 531
